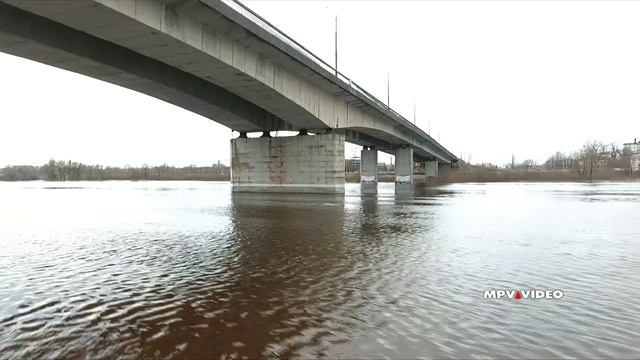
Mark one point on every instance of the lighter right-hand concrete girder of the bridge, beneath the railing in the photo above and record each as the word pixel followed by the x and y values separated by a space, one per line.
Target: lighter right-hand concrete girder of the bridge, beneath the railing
pixel 193 37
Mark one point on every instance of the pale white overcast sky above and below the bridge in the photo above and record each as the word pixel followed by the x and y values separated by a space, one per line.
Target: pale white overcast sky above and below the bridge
pixel 489 78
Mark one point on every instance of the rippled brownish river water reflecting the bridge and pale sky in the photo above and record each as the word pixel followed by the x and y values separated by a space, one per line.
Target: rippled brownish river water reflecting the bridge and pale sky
pixel 186 269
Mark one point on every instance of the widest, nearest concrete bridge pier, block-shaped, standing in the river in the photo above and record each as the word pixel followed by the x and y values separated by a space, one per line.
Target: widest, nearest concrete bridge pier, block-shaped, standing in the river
pixel 297 164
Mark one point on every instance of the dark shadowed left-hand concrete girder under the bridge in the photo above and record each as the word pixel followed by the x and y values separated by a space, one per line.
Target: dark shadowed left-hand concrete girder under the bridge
pixel 40 39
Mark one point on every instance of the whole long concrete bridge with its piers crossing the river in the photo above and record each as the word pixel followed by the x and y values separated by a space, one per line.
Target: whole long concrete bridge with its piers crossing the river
pixel 222 61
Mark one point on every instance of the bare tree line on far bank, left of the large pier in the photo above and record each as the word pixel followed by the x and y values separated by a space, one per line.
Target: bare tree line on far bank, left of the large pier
pixel 75 171
